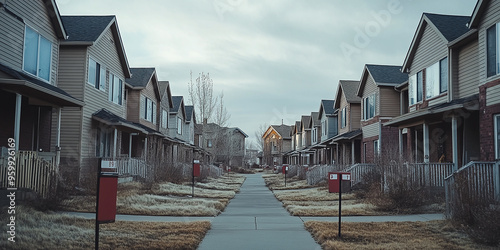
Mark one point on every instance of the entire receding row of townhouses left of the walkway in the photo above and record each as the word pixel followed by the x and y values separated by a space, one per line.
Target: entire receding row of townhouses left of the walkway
pixel 70 97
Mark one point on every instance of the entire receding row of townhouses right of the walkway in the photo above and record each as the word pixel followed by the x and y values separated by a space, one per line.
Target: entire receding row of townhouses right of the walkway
pixel 441 106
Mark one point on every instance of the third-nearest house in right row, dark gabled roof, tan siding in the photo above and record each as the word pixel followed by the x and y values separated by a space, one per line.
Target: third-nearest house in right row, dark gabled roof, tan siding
pixel 380 102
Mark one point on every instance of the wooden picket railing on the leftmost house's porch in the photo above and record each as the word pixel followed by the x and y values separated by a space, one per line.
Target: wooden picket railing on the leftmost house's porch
pixel 31 172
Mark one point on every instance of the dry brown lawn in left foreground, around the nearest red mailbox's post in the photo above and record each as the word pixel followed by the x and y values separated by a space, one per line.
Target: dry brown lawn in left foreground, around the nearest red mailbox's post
pixel 37 230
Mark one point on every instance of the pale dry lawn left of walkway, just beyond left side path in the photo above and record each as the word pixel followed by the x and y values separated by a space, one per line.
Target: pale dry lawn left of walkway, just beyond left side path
pixel 167 199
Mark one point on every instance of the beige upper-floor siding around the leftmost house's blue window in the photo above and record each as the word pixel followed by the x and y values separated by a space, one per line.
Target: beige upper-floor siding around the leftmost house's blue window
pixel 35 15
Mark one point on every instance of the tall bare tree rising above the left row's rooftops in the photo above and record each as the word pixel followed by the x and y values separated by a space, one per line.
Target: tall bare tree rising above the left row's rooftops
pixel 201 96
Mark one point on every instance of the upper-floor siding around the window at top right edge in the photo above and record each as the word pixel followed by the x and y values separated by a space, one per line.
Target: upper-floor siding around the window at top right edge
pixel 491 16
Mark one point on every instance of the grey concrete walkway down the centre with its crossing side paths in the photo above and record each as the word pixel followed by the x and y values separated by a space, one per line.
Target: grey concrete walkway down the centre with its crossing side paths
pixel 255 219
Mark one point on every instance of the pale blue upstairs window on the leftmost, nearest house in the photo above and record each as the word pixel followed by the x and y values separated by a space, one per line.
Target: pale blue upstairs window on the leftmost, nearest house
pixel 37 55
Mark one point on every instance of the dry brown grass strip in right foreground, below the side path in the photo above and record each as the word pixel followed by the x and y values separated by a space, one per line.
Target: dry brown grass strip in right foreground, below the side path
pixel 391 235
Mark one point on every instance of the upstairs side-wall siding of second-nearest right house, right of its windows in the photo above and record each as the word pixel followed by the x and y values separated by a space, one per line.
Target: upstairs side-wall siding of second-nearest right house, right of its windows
pixel 468 78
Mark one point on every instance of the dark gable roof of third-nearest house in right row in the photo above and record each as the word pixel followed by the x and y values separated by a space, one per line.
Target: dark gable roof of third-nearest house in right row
pixel 382 75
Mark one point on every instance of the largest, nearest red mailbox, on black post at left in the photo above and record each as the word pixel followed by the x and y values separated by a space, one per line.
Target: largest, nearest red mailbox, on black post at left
pixel 108 185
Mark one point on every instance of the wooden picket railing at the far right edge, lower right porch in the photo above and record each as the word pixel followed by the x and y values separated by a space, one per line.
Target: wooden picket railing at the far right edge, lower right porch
pixel 473 184
